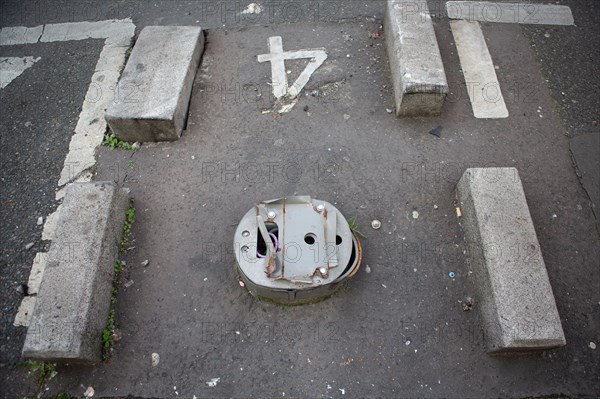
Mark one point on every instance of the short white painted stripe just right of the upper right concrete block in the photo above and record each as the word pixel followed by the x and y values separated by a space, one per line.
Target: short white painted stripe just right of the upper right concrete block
pixel 478 69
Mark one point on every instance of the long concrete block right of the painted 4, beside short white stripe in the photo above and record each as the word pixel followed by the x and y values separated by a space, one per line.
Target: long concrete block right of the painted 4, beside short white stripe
pixel 418 76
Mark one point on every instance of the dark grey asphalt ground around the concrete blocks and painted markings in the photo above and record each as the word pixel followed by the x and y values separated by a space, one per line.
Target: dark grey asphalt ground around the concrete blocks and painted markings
pixel 49 96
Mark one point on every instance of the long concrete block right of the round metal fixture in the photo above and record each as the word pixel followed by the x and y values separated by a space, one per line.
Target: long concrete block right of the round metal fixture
pixel 515 297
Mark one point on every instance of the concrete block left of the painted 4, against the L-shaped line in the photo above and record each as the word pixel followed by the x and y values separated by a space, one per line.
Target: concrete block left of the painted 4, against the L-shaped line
pixel 153 94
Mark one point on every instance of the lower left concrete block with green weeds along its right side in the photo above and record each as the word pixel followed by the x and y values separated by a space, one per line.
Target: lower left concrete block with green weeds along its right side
pixel 74 298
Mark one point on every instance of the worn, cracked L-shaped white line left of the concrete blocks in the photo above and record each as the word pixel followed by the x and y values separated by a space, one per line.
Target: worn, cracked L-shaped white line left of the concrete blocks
pixel 91 125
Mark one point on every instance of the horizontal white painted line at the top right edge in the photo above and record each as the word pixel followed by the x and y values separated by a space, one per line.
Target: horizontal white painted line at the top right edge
pixel 516 13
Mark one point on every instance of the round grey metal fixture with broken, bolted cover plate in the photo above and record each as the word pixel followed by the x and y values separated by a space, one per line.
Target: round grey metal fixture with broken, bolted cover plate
pixel 312 247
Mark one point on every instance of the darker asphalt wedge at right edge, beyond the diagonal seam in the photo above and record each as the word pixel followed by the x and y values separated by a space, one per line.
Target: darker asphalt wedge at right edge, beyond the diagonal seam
pixel 569 62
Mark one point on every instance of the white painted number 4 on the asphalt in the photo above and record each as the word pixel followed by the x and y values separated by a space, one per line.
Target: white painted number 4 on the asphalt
pixel 279 81
